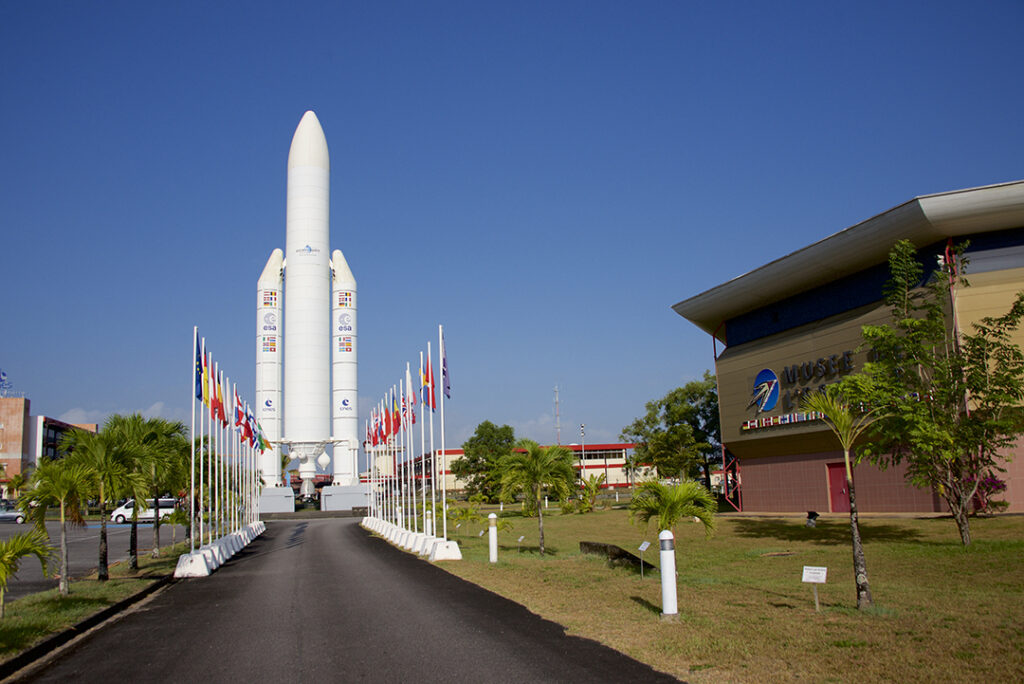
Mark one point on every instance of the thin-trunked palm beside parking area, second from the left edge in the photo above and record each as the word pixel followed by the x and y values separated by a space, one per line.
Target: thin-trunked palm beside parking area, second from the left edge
pixel 61 484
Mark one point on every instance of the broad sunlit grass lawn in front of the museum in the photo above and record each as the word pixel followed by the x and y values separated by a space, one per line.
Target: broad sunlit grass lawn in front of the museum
pixel 943 613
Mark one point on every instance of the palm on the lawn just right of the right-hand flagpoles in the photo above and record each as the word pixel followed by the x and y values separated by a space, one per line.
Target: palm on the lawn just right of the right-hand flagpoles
pixel 535 472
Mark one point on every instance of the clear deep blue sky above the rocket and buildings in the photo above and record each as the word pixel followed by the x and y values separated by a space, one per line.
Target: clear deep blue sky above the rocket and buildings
pixel 544 179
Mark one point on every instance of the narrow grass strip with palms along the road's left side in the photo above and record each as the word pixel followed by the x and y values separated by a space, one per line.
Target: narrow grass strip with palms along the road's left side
pixel 35 617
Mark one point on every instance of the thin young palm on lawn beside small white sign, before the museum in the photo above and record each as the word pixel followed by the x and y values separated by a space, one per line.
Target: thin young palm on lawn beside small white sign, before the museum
pixel 847 426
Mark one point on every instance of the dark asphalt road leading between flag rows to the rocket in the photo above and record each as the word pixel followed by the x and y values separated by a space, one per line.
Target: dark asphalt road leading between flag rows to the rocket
pixel 324 601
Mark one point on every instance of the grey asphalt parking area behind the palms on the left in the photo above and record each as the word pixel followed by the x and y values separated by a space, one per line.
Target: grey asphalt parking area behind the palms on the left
pixel 83 552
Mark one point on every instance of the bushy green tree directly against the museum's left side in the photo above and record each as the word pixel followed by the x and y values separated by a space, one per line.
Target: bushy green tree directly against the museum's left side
pixel 680 433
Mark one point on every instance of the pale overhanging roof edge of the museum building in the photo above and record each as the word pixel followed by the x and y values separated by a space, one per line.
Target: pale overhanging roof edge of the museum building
pixel 924 221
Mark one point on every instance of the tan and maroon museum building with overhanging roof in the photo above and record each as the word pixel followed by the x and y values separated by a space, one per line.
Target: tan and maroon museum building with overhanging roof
pixel 795 324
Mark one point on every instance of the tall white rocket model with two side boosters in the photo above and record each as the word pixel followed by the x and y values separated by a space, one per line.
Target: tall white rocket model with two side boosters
pixel 318 330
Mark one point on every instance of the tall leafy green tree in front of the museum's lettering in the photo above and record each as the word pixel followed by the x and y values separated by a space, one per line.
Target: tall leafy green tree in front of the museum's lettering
pixel 953 399
